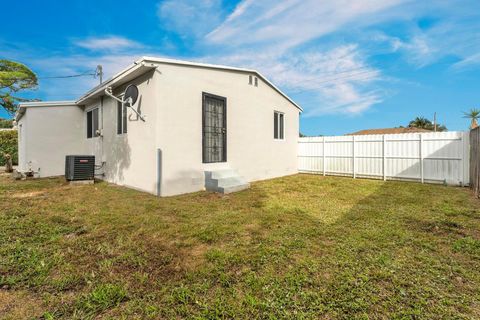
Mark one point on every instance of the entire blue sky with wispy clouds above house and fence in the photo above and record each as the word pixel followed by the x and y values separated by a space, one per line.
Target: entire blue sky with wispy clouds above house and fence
pixel 352 65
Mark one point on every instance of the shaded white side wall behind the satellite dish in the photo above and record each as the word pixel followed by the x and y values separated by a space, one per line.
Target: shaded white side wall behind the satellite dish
pixel 129 159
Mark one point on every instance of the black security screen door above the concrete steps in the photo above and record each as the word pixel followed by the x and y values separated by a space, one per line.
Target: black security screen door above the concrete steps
pixel 214 128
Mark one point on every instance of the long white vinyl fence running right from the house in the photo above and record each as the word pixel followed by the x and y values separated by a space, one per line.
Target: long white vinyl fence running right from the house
pixel 437 157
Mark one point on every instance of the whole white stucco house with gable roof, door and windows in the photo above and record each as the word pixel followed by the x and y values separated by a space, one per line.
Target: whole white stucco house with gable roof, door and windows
pixel 199 119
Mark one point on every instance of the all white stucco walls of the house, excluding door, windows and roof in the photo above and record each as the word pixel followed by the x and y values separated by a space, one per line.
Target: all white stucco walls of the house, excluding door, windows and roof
pixel 163 155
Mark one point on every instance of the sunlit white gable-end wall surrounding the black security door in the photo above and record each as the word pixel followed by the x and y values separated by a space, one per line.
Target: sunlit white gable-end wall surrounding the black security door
pixel 251 148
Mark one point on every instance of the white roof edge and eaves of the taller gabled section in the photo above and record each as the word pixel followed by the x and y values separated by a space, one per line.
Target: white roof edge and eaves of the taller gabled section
pixel 148 63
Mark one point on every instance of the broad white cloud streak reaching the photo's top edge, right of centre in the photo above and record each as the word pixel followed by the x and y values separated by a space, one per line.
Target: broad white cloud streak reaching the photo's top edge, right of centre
pixel 292 22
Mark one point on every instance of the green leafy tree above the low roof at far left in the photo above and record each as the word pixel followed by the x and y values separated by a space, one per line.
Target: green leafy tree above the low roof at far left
pixel 14 77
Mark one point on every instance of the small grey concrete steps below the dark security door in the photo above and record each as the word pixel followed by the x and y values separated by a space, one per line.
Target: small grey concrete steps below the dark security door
pixel 225 181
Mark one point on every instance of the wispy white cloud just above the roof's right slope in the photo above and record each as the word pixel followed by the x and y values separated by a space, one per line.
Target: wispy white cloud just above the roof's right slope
pixel 337 78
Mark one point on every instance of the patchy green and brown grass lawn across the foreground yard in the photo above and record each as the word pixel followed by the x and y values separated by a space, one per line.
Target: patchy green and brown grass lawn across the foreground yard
pixel 297 247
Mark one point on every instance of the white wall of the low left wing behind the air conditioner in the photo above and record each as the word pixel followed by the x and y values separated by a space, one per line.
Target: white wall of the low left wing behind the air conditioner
pixel 46 135
